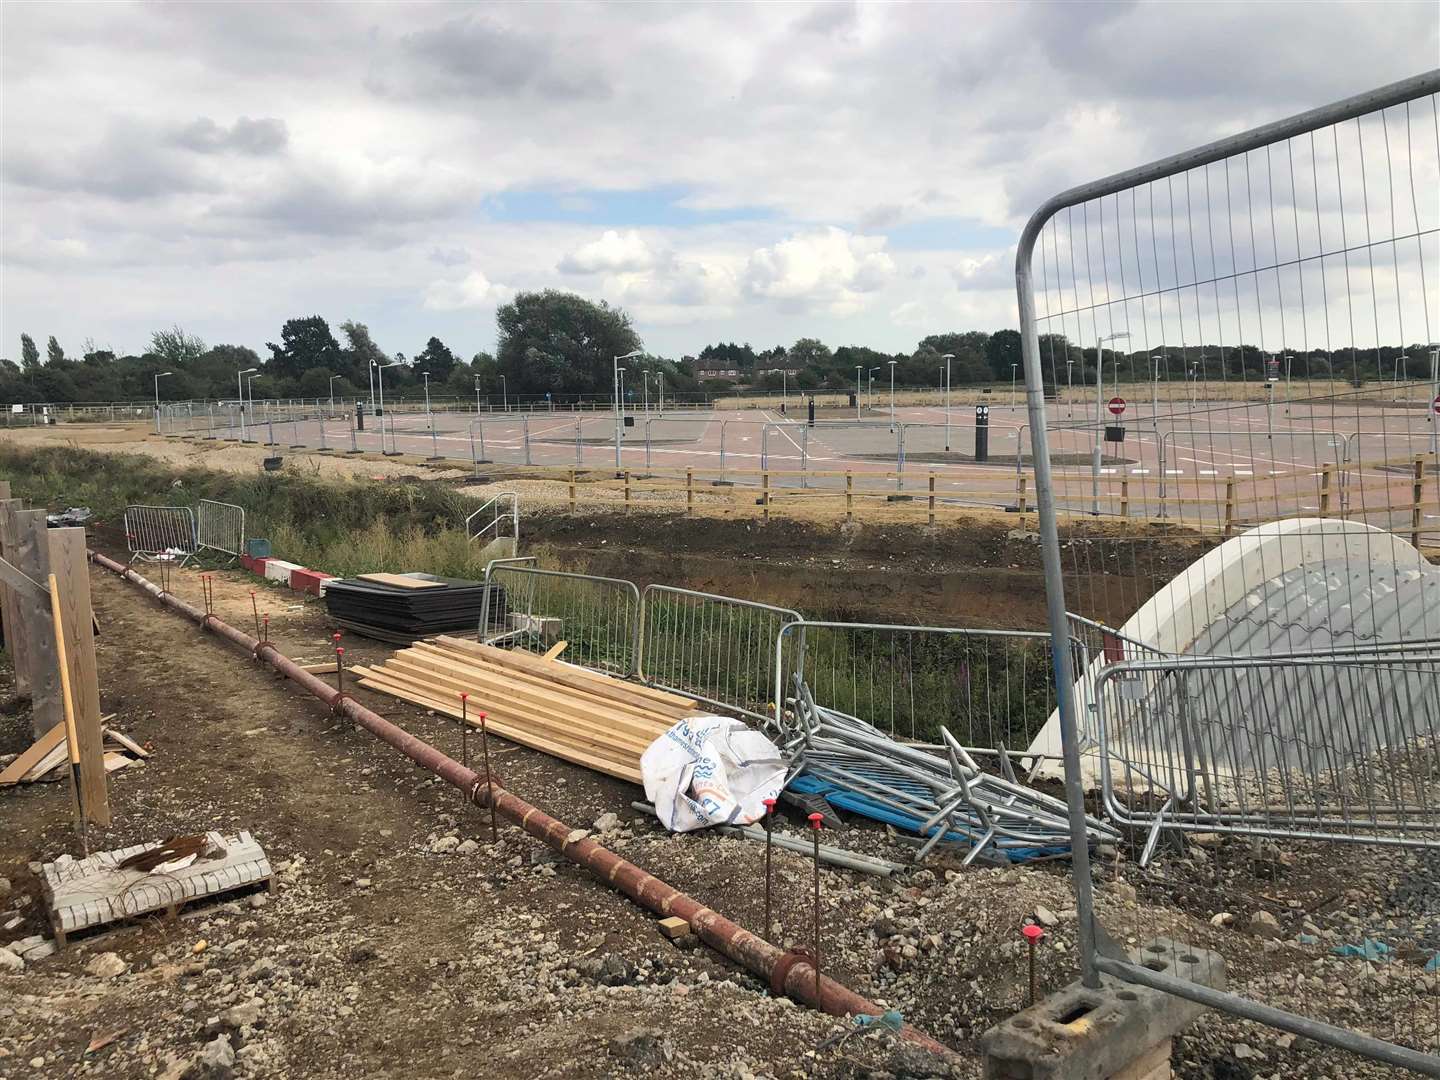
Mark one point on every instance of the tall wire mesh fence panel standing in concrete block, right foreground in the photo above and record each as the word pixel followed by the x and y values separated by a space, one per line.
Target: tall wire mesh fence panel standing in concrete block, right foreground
pixel 1305 248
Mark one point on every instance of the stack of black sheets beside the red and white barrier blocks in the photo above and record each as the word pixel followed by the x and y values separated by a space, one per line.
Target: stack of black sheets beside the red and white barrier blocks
pixel 395 614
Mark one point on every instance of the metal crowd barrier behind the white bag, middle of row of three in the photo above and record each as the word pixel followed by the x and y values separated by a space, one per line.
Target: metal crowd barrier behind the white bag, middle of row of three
pixel 714 649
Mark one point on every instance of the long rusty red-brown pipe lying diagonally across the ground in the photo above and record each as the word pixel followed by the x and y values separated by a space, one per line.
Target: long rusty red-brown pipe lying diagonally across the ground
pixel 742 947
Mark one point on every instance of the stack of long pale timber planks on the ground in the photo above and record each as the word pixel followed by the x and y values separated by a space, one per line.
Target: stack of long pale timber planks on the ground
pixel 568 712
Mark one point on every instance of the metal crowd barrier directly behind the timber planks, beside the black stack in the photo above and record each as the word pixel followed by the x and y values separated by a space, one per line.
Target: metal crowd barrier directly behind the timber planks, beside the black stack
pixel 598 618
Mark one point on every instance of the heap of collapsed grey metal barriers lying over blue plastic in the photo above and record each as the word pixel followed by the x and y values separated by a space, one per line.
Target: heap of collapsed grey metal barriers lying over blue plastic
pixel 945 800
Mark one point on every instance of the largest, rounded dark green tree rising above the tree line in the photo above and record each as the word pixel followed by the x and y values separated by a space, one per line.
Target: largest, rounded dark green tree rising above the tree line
pixel 562 343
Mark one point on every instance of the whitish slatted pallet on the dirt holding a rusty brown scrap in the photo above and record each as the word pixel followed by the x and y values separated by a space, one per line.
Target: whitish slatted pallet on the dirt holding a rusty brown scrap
pixel 89 894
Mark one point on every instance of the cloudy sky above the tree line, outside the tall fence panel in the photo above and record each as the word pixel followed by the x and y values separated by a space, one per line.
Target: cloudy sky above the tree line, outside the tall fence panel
pixel 752 174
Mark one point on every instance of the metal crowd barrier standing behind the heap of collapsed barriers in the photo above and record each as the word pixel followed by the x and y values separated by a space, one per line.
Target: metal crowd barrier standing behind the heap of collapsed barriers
pixel 991 689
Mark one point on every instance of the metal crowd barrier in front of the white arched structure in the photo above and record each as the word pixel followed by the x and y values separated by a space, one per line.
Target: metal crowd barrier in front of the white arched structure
pixel 1338 748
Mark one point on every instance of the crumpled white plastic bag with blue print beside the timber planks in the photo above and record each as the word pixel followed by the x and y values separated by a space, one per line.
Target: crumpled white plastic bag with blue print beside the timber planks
pixel 711 771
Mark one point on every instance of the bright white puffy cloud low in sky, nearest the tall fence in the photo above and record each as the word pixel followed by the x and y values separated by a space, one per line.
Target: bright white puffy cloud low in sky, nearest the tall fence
pixel 827 270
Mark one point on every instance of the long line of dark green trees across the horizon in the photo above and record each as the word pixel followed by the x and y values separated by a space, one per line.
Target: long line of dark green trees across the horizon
pixel 559 345
